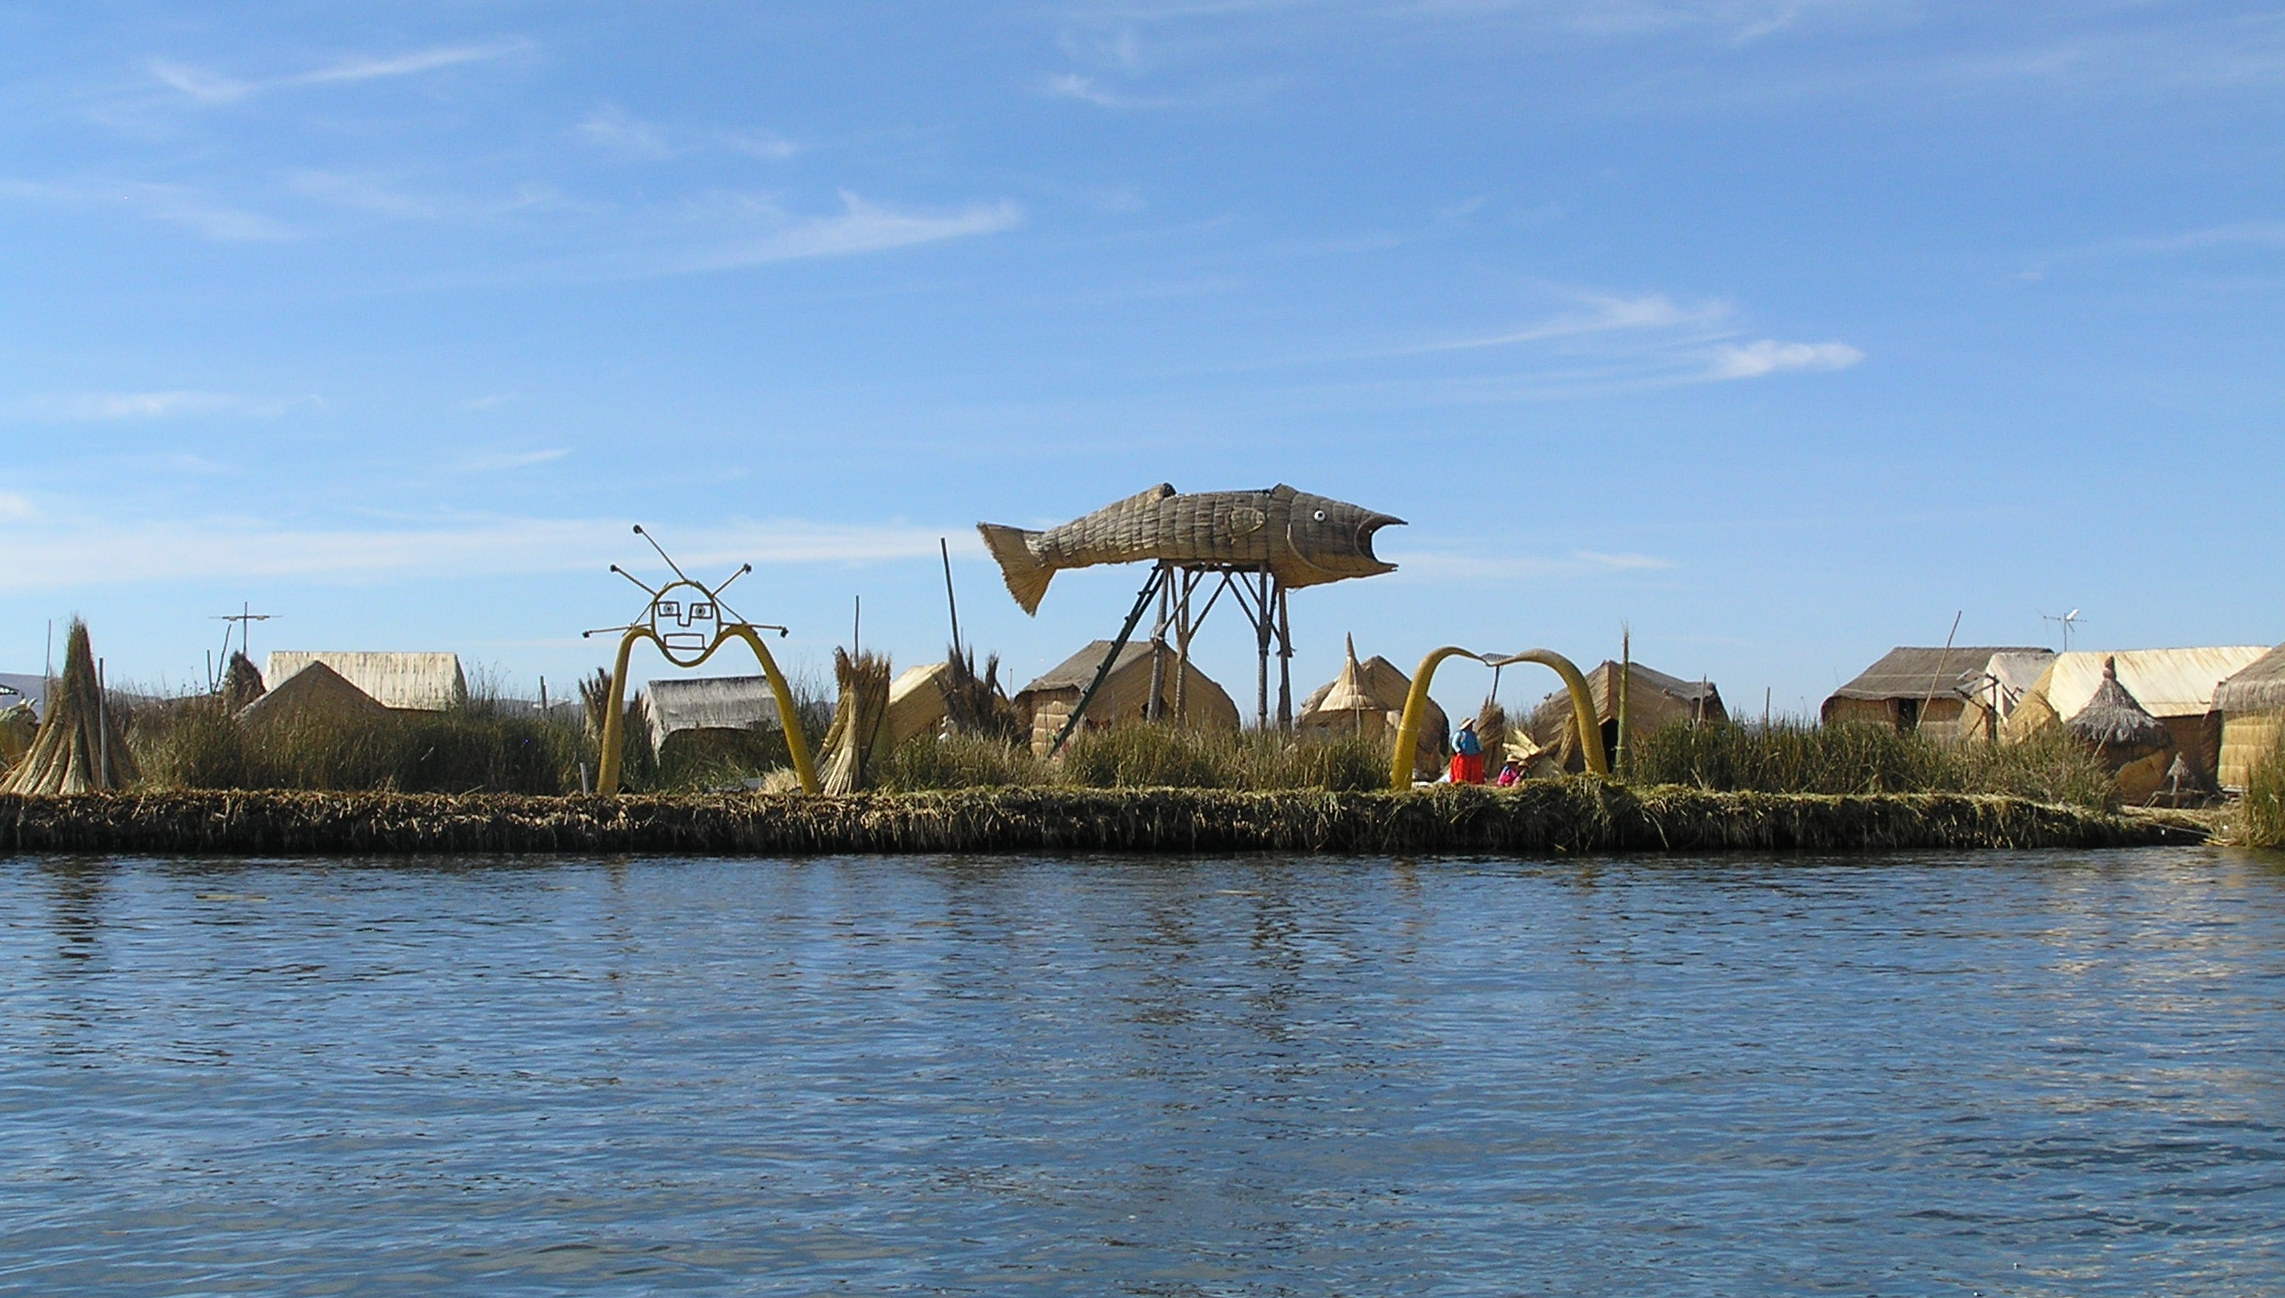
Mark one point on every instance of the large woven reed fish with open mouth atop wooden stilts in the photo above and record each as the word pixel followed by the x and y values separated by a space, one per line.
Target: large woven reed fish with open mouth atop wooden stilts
pixel 1299 538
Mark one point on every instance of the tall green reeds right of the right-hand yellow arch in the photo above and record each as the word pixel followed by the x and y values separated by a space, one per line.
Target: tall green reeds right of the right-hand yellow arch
pixel 1859 758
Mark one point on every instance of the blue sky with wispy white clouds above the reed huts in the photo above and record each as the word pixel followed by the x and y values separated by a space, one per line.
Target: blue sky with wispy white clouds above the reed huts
pixel 1781 330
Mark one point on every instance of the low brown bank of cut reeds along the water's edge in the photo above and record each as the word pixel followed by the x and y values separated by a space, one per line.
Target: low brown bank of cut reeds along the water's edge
pixel 1539 817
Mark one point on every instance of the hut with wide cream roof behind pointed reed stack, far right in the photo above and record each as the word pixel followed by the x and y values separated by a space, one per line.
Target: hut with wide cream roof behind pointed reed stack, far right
pixel 2176 687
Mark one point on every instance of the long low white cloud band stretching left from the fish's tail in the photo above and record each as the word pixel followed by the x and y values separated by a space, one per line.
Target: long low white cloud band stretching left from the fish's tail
pixel 109 552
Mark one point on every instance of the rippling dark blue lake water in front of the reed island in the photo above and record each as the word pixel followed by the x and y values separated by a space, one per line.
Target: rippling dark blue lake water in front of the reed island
pixel 2010 1073
